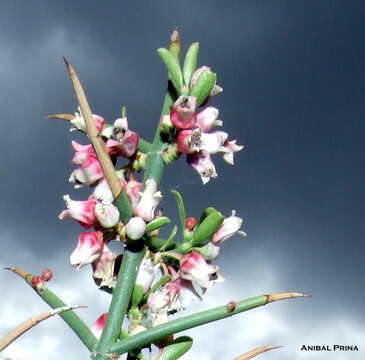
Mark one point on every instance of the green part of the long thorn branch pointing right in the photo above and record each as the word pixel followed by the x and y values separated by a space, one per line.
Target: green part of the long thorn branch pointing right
pixel 184 323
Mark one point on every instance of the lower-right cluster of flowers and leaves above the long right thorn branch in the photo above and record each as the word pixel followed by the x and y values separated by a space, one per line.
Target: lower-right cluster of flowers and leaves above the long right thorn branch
pixel 173 274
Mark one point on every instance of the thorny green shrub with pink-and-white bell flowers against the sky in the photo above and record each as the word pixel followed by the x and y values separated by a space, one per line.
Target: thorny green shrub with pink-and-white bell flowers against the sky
pixel 156 275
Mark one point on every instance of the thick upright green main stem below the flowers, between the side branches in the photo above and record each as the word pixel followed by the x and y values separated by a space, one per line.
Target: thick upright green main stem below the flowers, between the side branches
pixel 121 297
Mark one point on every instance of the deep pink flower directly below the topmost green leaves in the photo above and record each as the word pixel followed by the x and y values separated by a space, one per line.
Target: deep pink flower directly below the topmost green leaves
pixel 183 114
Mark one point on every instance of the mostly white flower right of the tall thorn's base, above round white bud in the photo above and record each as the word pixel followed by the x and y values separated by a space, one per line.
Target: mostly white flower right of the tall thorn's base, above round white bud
pixel 150 198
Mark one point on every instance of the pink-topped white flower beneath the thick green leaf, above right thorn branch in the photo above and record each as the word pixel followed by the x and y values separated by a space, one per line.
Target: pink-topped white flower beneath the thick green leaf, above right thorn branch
pixel 193 267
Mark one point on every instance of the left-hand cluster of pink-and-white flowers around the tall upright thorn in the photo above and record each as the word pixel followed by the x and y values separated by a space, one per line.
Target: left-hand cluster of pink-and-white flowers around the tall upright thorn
pixel 98 212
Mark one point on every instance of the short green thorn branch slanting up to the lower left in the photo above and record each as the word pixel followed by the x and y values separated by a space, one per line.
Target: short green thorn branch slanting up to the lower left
pixel 70 317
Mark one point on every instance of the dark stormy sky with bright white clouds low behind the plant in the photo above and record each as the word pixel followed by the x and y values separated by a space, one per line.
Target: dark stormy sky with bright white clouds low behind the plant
pixel 293 80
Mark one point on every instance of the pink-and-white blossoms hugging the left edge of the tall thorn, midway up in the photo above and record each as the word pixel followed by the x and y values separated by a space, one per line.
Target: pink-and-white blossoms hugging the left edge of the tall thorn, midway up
pixel 89 170
